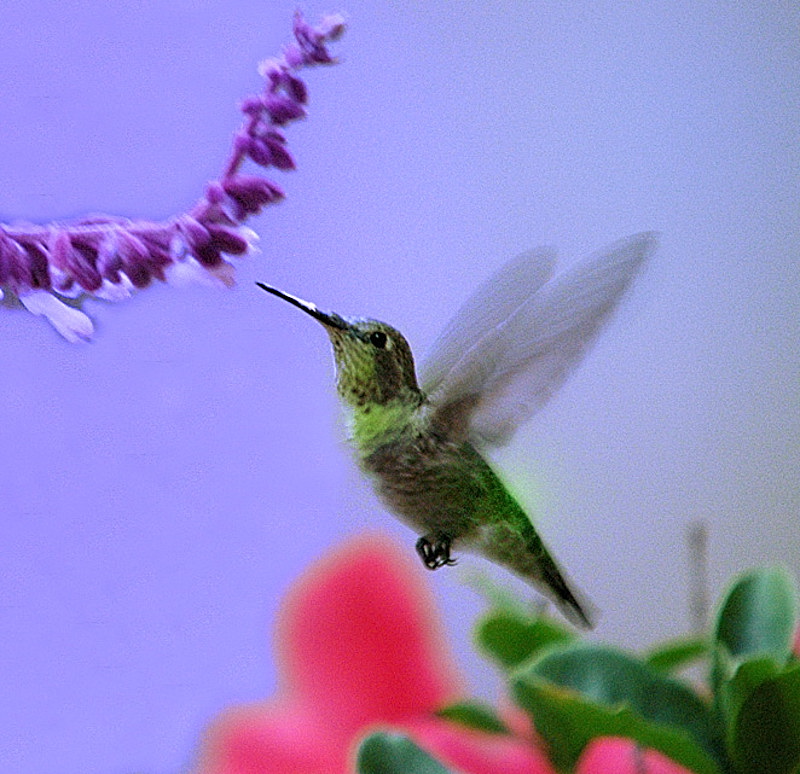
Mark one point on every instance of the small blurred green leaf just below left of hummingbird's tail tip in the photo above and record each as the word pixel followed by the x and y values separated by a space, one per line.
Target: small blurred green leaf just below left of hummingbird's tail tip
pixel 510 637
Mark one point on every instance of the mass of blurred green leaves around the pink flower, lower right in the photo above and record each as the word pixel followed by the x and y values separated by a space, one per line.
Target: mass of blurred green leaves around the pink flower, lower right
pixel 745 719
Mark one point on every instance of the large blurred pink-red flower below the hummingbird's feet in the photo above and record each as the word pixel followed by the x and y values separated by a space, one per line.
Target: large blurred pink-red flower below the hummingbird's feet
pixel 359 649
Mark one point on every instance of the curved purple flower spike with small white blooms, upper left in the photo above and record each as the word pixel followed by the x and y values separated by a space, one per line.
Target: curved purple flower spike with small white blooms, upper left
pixel 109 257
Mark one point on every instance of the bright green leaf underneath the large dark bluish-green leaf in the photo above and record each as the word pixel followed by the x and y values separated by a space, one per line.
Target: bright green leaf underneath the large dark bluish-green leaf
pixel 569 721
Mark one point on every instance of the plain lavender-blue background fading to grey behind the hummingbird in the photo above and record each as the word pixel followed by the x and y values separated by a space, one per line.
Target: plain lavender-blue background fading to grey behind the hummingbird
pixel 162 486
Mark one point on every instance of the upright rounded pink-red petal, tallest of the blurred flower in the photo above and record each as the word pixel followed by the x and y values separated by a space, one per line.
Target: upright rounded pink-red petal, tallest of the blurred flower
pixel 359 641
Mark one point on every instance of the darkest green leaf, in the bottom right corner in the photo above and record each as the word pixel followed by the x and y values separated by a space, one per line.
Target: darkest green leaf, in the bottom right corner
pixel 766 732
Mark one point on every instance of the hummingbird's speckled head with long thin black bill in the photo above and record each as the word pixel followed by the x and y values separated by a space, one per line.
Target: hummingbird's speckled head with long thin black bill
pixel 374 364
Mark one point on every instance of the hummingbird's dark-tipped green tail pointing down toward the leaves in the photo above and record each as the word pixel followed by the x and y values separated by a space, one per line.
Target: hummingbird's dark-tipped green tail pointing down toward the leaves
pixel 519 548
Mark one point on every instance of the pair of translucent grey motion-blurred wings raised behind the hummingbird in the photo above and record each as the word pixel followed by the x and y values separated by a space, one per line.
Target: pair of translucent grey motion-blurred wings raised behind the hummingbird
pixel 499 366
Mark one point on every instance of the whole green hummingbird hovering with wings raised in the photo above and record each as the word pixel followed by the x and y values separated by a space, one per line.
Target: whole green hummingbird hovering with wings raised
pixel 422 440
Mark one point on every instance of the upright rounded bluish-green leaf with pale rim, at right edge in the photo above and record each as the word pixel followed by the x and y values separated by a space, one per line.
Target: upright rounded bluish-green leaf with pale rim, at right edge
pixel 758 614
